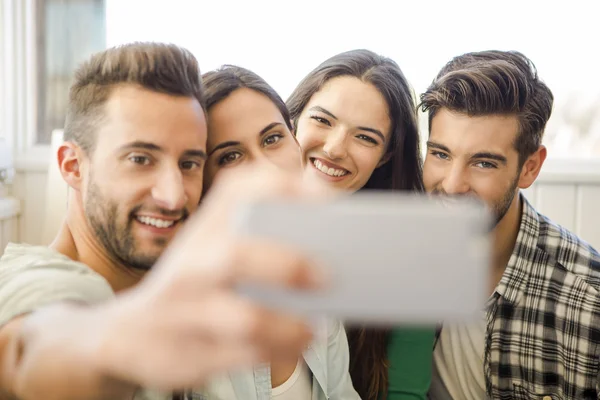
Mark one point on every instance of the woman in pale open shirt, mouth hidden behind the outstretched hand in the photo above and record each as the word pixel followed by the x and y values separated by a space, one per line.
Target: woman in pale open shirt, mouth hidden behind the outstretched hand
pixel 249 125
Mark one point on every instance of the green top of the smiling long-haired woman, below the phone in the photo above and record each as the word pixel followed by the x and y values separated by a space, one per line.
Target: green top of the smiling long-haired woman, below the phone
pixel 410 354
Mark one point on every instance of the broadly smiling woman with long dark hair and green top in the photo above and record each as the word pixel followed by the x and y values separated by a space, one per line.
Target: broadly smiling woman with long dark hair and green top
pixel 355 119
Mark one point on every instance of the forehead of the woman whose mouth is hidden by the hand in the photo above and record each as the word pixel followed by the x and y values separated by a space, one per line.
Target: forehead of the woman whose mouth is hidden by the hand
pixel 241 116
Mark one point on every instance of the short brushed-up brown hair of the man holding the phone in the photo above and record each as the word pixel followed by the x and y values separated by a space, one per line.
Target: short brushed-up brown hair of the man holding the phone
pixel 163 68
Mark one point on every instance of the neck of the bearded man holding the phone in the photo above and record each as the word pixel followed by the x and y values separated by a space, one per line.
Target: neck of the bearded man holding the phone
pixel 76 241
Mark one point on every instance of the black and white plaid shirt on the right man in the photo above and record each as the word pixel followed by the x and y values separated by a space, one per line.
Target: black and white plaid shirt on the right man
pixel 543 321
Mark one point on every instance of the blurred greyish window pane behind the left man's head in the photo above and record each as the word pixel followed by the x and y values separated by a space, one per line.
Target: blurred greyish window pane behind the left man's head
pixel 67 33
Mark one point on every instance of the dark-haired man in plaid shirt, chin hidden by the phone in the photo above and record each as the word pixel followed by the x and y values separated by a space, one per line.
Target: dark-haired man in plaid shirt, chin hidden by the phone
pixel 539 337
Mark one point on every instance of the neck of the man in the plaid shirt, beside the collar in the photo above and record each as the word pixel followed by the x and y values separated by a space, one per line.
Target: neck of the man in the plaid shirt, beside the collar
pixel 504 238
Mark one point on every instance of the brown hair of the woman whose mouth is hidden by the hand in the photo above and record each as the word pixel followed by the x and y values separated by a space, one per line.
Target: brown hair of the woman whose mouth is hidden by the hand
pixel 220 83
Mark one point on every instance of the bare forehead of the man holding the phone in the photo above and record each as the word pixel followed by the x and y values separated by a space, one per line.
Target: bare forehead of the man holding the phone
pixel 137 114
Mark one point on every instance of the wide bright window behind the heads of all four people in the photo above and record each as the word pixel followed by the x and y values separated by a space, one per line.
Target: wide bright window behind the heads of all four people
pixel 283 41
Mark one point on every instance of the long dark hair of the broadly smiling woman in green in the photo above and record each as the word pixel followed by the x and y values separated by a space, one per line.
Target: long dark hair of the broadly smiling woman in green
pixel 403 171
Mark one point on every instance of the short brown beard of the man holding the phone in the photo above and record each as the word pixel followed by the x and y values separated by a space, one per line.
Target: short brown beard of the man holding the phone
pixel 117 236
